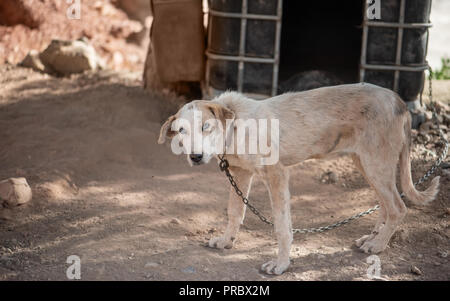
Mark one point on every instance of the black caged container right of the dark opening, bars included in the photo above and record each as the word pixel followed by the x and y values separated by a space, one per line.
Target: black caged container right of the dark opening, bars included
pixel 394 47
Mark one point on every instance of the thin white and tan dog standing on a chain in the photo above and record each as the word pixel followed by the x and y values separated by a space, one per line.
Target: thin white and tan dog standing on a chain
pixel 368 122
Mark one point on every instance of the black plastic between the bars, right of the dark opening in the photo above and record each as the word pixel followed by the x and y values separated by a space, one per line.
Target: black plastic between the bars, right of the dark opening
pixel 382 47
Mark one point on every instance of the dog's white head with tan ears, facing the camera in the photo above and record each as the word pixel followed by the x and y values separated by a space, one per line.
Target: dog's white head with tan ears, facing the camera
pixel 198 129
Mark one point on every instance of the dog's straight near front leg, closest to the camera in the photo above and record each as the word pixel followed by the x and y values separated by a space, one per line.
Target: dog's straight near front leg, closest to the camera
pixel 277 182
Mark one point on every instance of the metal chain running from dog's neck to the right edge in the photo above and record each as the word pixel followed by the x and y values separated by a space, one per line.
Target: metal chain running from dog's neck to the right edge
pixel 224 166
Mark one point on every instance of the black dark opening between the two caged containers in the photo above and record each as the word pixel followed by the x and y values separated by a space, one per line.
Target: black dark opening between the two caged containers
pixel 321 36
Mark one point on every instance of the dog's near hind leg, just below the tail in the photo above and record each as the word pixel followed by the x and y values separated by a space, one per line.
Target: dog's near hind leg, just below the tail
pixel 381 174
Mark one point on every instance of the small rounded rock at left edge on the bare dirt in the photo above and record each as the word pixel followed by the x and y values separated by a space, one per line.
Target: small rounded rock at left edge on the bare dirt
pixel 15 191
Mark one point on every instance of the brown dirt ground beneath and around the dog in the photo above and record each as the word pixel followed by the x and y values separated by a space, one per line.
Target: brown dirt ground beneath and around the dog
pixel 104 190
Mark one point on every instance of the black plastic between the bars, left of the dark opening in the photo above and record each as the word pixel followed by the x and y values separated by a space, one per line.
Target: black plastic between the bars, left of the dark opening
pixel 224 39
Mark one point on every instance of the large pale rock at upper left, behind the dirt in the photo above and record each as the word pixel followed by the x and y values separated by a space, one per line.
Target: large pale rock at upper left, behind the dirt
pixel 68 57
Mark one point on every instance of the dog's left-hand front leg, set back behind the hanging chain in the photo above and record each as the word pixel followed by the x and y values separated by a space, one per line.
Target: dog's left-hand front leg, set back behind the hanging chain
pixel 236 209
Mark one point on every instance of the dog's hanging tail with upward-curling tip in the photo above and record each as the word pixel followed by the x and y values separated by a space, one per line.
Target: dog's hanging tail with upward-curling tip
pixel 417 197
